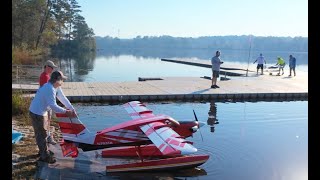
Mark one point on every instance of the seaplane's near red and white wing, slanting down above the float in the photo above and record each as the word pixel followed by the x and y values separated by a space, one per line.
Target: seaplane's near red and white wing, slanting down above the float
pixel 167 140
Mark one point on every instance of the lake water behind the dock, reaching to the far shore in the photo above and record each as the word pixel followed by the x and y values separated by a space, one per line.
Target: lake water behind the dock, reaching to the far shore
pixel 119 66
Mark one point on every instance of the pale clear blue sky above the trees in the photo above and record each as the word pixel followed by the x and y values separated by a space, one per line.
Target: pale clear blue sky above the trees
pixel 196 18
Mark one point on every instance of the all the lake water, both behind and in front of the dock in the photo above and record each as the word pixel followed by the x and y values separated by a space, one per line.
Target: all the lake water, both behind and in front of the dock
pixel 253 140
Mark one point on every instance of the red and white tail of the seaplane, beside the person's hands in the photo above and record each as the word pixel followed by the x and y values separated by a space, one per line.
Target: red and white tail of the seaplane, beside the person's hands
pixel 71 128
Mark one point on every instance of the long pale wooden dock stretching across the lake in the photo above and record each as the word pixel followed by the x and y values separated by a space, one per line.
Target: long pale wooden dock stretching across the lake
pixel 251 88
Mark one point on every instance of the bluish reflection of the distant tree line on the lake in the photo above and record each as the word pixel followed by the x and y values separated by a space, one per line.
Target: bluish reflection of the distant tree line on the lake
pixel 228 55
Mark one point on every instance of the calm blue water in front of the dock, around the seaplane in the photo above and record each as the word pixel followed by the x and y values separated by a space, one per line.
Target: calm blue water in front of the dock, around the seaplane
pixel 245 140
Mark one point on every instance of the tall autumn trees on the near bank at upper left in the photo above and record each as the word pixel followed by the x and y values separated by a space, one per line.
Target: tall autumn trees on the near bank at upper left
pixel 49 27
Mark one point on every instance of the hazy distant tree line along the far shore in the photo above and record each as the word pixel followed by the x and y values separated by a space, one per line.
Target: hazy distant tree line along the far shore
pixel 297 44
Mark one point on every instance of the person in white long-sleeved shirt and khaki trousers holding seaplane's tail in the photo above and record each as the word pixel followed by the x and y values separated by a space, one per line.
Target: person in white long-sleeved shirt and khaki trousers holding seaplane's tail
pixel 44 100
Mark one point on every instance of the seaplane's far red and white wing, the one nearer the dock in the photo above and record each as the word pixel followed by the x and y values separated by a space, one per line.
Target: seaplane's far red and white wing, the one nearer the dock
pixel 137 110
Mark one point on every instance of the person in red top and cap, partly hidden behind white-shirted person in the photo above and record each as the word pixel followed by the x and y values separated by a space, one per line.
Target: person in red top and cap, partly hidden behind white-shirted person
pixel 49 66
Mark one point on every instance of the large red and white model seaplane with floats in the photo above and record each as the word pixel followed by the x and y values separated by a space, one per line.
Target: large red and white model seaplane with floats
pixel 158 141
